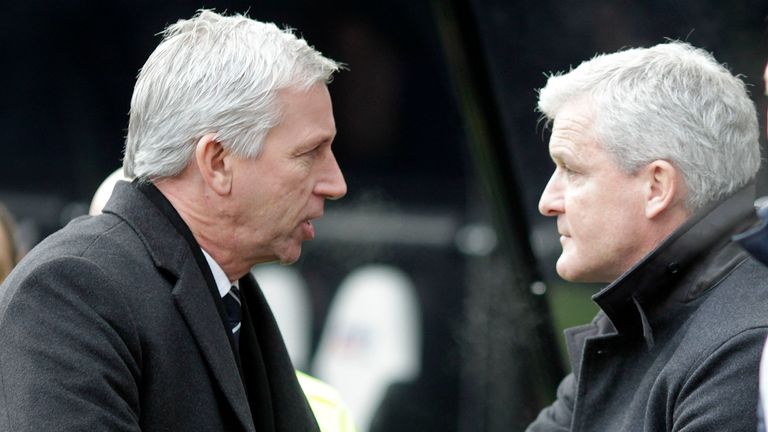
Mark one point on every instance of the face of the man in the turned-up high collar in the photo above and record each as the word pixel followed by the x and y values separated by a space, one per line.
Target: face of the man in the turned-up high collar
pixel 599 208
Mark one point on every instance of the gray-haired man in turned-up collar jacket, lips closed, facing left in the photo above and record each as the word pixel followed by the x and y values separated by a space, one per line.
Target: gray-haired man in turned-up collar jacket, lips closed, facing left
pixel 655 152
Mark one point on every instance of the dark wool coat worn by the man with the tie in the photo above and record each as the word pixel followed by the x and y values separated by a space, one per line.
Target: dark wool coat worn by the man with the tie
pixel 113 324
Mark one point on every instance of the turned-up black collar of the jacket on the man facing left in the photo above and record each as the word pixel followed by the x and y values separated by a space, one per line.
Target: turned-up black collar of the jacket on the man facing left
pixel 683 255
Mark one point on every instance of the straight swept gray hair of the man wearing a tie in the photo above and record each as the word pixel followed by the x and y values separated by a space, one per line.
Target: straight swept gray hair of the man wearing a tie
pixel 214 74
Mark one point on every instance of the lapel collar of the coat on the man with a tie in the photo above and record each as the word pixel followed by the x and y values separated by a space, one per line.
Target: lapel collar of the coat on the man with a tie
pixel 167 240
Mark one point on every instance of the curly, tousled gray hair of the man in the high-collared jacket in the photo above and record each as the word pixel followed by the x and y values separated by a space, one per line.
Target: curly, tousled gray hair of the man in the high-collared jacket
pixel 672 102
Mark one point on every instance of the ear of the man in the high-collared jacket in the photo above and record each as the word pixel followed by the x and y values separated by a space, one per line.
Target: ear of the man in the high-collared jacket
pixel 663 188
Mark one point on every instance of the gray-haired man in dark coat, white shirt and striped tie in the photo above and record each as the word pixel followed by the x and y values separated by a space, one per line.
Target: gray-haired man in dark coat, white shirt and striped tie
pixel 145 317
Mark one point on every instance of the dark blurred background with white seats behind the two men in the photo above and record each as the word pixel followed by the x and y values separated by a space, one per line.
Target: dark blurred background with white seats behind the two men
pixel 428 297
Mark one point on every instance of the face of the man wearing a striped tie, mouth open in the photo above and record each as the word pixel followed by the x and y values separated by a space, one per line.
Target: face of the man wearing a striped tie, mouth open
pixel 281 191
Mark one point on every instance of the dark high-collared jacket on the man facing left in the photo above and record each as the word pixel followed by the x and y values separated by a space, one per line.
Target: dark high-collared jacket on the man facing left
pixel 677 342
